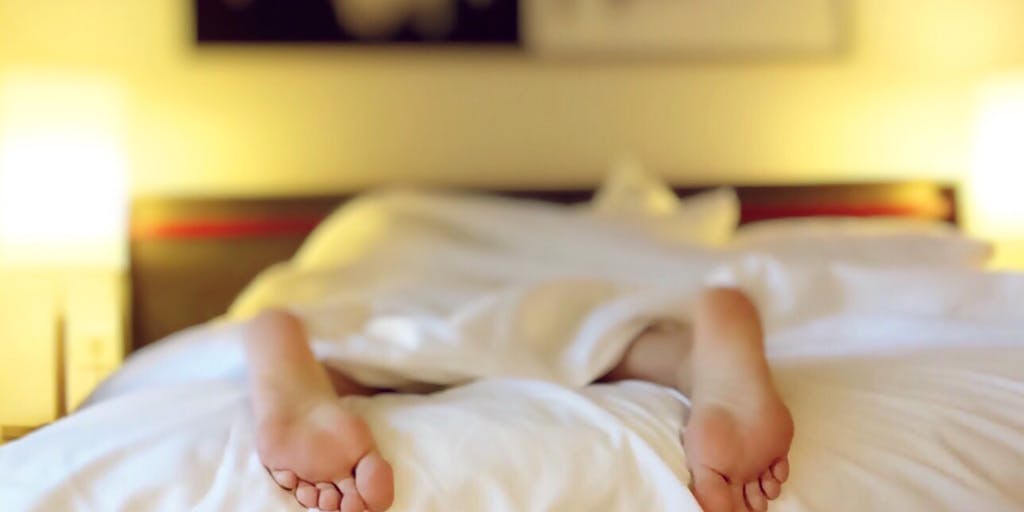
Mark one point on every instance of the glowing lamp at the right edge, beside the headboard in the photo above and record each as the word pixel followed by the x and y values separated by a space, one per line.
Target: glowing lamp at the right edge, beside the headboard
pixel 996 183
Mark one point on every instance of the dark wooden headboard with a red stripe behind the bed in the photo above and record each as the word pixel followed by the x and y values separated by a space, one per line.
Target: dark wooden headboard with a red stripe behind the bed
pixel 191 258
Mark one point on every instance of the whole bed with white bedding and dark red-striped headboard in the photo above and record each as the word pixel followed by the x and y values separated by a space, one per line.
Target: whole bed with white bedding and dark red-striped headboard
pixel 903 363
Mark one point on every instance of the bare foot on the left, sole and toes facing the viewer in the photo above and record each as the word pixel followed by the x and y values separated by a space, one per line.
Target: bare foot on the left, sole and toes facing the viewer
pixel 311 444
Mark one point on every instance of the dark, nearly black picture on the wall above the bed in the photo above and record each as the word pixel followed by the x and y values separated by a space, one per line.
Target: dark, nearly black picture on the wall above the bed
pixel 359 22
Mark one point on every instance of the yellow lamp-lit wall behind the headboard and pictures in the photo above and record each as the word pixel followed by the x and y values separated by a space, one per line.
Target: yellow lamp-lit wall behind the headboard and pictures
pixel 898 104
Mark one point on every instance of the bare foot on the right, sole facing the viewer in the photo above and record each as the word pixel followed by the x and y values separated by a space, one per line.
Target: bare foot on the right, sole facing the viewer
pixel 740 431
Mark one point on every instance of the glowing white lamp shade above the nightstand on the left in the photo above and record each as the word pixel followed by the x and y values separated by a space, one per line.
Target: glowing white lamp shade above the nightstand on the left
pixel 63 174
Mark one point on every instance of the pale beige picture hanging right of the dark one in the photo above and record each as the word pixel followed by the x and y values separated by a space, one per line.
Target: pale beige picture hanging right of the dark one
pixel 682 28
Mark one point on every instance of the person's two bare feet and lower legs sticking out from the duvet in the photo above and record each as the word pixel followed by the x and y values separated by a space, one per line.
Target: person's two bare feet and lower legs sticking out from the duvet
pixel 737 440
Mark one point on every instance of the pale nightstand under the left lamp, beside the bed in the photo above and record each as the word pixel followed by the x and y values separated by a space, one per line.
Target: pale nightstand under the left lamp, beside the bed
pixel 62 332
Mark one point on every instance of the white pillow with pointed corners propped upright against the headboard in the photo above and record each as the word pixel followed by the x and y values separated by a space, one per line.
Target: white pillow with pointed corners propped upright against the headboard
pixel 642 202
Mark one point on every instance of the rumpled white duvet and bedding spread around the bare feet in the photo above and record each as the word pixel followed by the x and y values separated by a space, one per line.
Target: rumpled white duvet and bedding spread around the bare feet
pixel 907 385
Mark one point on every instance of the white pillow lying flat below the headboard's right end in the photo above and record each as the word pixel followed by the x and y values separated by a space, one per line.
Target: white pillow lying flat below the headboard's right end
pixel 866 241
